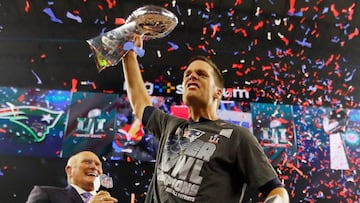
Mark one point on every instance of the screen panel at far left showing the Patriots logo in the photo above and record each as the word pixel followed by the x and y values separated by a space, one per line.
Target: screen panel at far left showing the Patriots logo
pixel 32 121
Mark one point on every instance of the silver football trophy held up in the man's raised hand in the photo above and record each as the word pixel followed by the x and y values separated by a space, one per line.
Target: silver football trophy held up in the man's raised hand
pixel 150 22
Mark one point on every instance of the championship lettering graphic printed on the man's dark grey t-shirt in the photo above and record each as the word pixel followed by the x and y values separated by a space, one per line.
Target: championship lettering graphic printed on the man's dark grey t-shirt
pixel 182 160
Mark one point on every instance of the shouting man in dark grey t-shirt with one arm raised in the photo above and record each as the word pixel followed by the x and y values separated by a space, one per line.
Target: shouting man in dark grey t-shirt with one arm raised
pixel 203 159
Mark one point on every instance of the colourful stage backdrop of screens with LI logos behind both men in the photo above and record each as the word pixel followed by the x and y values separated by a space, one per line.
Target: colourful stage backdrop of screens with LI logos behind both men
pixel 313 149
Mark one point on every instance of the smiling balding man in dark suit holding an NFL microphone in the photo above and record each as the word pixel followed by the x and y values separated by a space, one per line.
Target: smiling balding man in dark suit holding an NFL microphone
pixel 82 169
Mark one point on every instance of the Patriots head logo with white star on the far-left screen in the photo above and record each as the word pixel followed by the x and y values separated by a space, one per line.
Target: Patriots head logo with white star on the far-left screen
pixel 29 120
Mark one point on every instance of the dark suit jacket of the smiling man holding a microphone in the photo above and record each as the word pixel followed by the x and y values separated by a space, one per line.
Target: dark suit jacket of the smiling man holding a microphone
pixel 50 194
